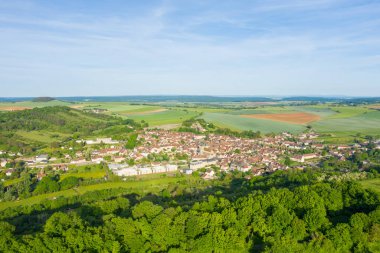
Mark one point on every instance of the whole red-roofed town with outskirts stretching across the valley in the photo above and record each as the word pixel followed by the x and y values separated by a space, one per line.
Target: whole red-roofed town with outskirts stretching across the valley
pixel 162 151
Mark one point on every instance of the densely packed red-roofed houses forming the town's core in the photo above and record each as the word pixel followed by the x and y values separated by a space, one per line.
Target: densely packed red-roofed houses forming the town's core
pixel 225 152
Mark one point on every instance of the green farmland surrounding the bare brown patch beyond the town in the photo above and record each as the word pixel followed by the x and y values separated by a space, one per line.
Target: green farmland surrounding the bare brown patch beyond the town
pixel 341 123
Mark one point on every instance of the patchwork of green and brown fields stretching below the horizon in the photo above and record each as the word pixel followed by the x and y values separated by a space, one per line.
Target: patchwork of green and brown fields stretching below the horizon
pixel 337 123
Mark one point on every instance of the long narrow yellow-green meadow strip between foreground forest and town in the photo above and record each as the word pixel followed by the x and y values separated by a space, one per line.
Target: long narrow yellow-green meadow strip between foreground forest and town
pixel 151 185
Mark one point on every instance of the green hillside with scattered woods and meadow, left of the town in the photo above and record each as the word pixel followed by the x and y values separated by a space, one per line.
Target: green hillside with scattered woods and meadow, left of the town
pixel 20 129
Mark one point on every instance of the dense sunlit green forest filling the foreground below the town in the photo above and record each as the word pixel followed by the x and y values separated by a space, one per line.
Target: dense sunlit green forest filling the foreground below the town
pixel 265 214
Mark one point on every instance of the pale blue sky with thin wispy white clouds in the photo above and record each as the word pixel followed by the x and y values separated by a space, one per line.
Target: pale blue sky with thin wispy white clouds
pixel 183 47
